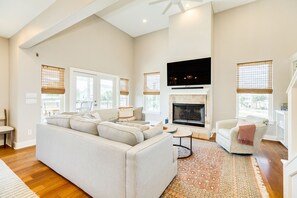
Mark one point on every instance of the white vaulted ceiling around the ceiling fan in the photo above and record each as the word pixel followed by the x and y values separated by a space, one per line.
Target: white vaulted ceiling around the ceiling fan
pixel 129 17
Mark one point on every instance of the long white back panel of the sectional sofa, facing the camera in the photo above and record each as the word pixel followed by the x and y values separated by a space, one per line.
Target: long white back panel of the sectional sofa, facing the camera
pixel 95 164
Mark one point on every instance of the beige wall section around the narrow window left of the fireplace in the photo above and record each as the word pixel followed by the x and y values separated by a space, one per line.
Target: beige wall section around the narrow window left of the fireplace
pixel 151 55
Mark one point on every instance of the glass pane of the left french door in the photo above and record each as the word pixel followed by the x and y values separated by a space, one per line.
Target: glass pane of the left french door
pixel 85 92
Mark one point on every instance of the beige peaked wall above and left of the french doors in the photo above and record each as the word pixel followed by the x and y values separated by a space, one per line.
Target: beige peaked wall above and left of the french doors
pixel 92 44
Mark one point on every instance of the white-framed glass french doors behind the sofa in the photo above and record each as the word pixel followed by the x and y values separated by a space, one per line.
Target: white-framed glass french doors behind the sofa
pixel 91 91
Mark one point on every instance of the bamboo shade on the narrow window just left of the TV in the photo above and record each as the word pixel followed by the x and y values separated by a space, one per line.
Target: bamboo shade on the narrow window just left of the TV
pixel 152 83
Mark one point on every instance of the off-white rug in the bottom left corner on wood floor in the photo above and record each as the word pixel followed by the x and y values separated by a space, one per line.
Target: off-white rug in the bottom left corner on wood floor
pixel 11 186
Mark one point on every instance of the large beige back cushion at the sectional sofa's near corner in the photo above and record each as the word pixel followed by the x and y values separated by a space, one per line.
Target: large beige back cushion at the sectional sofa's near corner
pixel 120 133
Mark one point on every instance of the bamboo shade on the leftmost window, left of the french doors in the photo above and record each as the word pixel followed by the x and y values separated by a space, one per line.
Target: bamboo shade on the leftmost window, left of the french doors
pixel 52 80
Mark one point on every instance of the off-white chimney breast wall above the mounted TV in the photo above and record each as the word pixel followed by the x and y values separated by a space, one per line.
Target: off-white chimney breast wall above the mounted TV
pixel 190 34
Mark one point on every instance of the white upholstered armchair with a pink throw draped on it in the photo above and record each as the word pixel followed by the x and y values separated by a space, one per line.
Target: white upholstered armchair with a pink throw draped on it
pixel 227 133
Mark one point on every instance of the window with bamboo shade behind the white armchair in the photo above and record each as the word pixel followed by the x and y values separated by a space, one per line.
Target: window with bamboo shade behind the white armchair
pixel 254 89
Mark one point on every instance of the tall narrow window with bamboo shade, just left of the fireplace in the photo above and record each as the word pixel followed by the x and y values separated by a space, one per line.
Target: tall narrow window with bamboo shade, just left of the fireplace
pixel 152 92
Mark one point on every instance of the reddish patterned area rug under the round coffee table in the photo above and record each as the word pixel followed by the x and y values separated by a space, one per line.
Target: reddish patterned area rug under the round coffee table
pixel 213 172
